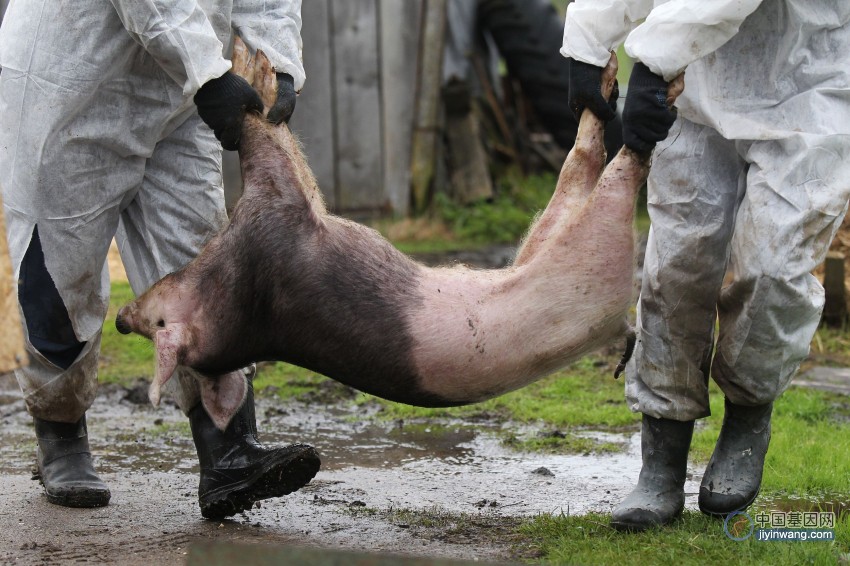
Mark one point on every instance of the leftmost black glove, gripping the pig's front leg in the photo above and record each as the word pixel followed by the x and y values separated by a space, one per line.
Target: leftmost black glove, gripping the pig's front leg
pixel 222 104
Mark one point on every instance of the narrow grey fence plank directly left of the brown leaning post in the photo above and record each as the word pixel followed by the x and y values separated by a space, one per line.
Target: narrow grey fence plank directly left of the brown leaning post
pixel 400 22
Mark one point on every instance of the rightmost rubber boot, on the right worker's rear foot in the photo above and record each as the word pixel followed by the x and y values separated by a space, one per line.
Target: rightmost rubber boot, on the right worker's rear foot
pixel 733 476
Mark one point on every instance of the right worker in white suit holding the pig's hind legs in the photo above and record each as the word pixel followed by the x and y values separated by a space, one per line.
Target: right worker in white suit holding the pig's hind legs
pixel 754 177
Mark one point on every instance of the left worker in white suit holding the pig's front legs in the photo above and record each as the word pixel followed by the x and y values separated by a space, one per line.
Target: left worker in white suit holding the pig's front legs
pixel 102 111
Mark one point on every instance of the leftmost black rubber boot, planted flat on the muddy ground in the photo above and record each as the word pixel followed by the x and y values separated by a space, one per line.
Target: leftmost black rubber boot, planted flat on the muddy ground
pixel 65 466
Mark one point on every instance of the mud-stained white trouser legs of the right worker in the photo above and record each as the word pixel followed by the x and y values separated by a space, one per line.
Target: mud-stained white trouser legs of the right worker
pixel 767 210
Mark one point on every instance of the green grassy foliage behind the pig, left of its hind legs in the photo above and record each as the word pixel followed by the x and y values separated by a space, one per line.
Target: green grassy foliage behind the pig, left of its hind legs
pixel 507 217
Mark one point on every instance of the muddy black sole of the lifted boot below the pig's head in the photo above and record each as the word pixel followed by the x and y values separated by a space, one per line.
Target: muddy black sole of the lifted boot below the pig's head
pixel 276 479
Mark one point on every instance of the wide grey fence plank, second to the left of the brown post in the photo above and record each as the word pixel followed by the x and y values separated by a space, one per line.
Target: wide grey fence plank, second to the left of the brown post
pixel 357 97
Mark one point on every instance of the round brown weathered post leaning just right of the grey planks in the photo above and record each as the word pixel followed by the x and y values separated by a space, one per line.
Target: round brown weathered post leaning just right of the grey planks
pixel 426 123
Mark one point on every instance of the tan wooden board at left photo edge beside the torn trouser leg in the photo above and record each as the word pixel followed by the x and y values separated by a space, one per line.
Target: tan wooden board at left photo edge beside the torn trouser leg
pixel 12 353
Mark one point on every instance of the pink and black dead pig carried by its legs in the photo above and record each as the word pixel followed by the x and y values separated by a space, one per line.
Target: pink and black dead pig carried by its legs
pixel 286 280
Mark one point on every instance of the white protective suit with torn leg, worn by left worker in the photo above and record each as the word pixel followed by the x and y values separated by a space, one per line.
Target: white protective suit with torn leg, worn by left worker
pixel 100 136
